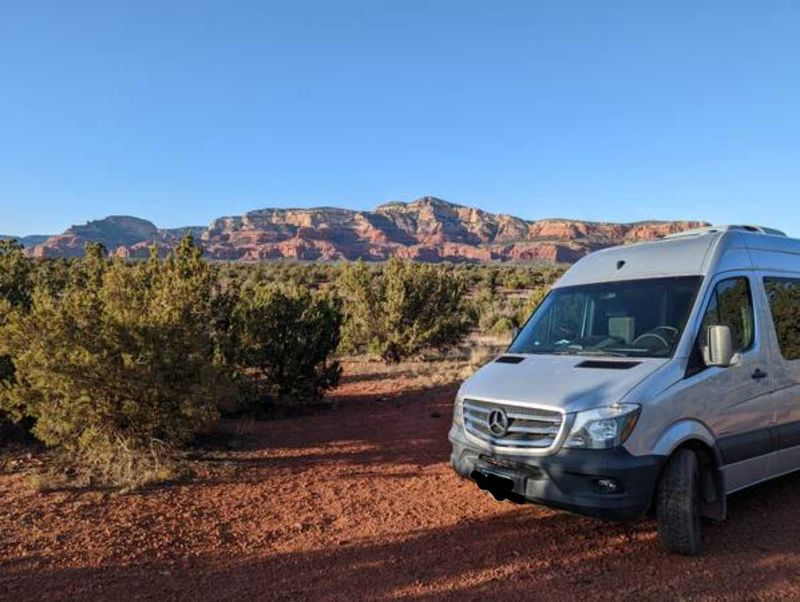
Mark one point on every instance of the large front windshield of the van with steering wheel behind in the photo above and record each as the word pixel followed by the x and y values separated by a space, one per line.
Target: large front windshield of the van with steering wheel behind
pixel 633 318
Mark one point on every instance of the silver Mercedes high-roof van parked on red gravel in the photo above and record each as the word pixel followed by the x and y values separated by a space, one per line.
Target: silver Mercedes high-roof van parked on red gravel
pixel 653 378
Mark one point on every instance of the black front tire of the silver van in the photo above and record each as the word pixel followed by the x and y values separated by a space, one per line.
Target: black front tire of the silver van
pixel 678 504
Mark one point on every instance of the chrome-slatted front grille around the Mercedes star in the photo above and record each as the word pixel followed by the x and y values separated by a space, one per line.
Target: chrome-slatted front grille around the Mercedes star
pixel 528 428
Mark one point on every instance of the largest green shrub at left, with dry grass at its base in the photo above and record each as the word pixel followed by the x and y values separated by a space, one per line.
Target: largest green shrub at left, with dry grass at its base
pixel 121 361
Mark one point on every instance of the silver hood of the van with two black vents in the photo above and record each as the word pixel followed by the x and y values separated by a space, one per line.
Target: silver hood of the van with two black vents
pixel 570 382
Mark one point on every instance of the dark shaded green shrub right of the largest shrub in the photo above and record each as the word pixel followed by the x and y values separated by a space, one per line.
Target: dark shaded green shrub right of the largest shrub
pixel 284 337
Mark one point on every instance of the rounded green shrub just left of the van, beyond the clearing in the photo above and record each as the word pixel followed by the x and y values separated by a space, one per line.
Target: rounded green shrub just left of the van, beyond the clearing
pixel 403 309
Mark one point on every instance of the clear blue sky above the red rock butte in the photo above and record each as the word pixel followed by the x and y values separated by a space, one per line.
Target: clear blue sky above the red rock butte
pixel 182 111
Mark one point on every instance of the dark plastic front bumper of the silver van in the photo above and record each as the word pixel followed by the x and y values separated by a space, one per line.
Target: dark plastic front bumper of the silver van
pixel 569 479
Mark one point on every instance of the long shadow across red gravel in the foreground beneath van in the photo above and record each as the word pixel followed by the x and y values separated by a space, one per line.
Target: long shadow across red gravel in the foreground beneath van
pixel 514 555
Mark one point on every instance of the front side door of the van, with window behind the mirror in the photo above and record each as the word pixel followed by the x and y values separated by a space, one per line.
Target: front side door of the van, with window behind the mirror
pixel 735 402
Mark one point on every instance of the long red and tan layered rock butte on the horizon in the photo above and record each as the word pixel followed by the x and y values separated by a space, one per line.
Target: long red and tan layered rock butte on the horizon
pixel 428 229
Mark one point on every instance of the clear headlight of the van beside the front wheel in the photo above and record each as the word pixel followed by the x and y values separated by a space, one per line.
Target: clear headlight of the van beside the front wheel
pixel 603 428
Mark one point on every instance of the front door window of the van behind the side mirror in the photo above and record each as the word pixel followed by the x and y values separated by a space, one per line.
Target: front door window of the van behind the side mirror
pixel 731 305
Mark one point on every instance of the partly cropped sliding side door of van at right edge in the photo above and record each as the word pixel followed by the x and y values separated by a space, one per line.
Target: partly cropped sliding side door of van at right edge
pixel 783 298
